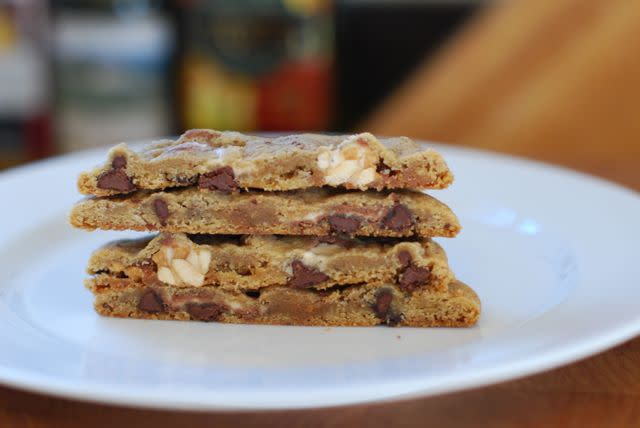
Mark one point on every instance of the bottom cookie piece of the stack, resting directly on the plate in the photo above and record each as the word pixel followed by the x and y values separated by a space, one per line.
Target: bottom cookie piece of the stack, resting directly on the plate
pixel 354 305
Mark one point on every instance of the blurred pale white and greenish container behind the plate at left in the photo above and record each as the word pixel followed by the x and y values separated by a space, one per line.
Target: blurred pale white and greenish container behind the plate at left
pixel 112 63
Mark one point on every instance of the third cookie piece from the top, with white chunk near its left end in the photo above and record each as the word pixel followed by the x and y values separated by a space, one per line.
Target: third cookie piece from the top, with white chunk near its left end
pixel 240 263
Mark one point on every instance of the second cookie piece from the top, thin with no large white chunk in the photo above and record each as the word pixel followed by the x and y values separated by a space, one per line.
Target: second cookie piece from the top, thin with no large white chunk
pixel 318 212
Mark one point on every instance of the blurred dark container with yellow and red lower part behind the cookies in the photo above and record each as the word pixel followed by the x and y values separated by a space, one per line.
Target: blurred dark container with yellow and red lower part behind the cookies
pixel 256 65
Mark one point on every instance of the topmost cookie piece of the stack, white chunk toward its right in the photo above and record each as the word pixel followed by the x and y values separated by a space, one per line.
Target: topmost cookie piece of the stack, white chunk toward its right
pixel 227 161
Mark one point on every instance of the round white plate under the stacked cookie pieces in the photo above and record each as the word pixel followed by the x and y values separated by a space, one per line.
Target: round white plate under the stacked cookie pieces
pixel 552 254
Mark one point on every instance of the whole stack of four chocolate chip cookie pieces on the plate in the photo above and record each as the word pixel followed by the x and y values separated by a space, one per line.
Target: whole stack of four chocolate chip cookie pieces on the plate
pixel 302 230
